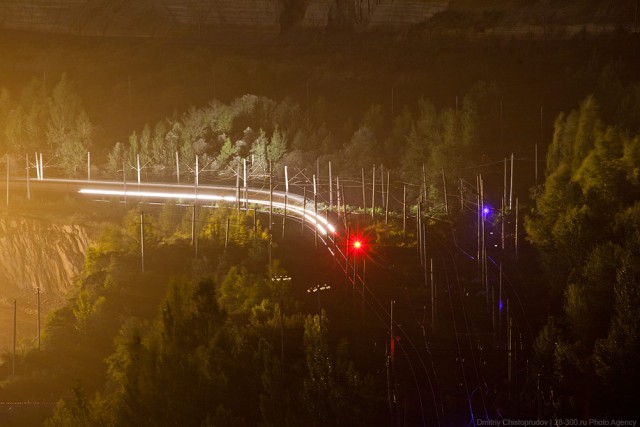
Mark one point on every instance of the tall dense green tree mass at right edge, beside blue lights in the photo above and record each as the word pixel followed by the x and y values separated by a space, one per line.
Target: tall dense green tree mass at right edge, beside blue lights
pixel 585 227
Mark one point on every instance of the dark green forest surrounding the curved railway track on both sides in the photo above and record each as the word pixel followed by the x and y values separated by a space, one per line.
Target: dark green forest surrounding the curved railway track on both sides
pixel 213 339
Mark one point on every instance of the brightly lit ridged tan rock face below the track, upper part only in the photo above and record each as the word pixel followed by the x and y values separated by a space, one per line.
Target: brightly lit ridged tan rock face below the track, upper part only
pixel 36 253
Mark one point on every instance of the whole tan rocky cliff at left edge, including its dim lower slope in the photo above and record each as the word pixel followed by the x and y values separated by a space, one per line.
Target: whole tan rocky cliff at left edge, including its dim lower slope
pixel 35 253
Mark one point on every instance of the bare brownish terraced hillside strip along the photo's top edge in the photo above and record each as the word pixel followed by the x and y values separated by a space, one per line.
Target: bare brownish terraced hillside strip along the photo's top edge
pixel 212 19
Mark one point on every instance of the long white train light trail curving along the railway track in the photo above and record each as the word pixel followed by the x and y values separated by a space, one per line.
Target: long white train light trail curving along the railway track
pixel 309 215
